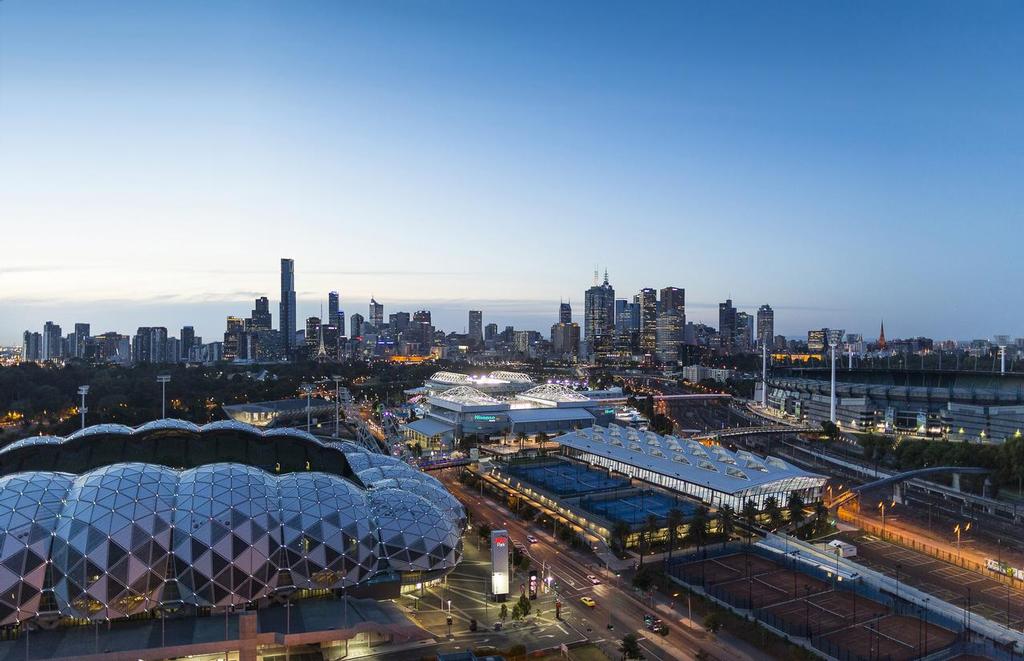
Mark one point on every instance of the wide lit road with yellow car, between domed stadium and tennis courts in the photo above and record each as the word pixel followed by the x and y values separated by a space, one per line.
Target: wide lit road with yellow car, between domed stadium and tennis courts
pixel 617 603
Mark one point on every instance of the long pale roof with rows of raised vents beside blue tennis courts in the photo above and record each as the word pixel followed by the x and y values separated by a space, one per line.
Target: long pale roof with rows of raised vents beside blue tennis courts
pixel 687 460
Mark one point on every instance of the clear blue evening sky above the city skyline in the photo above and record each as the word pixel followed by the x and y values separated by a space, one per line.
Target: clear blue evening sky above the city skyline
pixel 845 162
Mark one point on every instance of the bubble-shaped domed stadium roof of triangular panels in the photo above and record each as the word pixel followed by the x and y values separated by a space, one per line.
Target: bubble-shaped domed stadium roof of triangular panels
pixel 127 537
